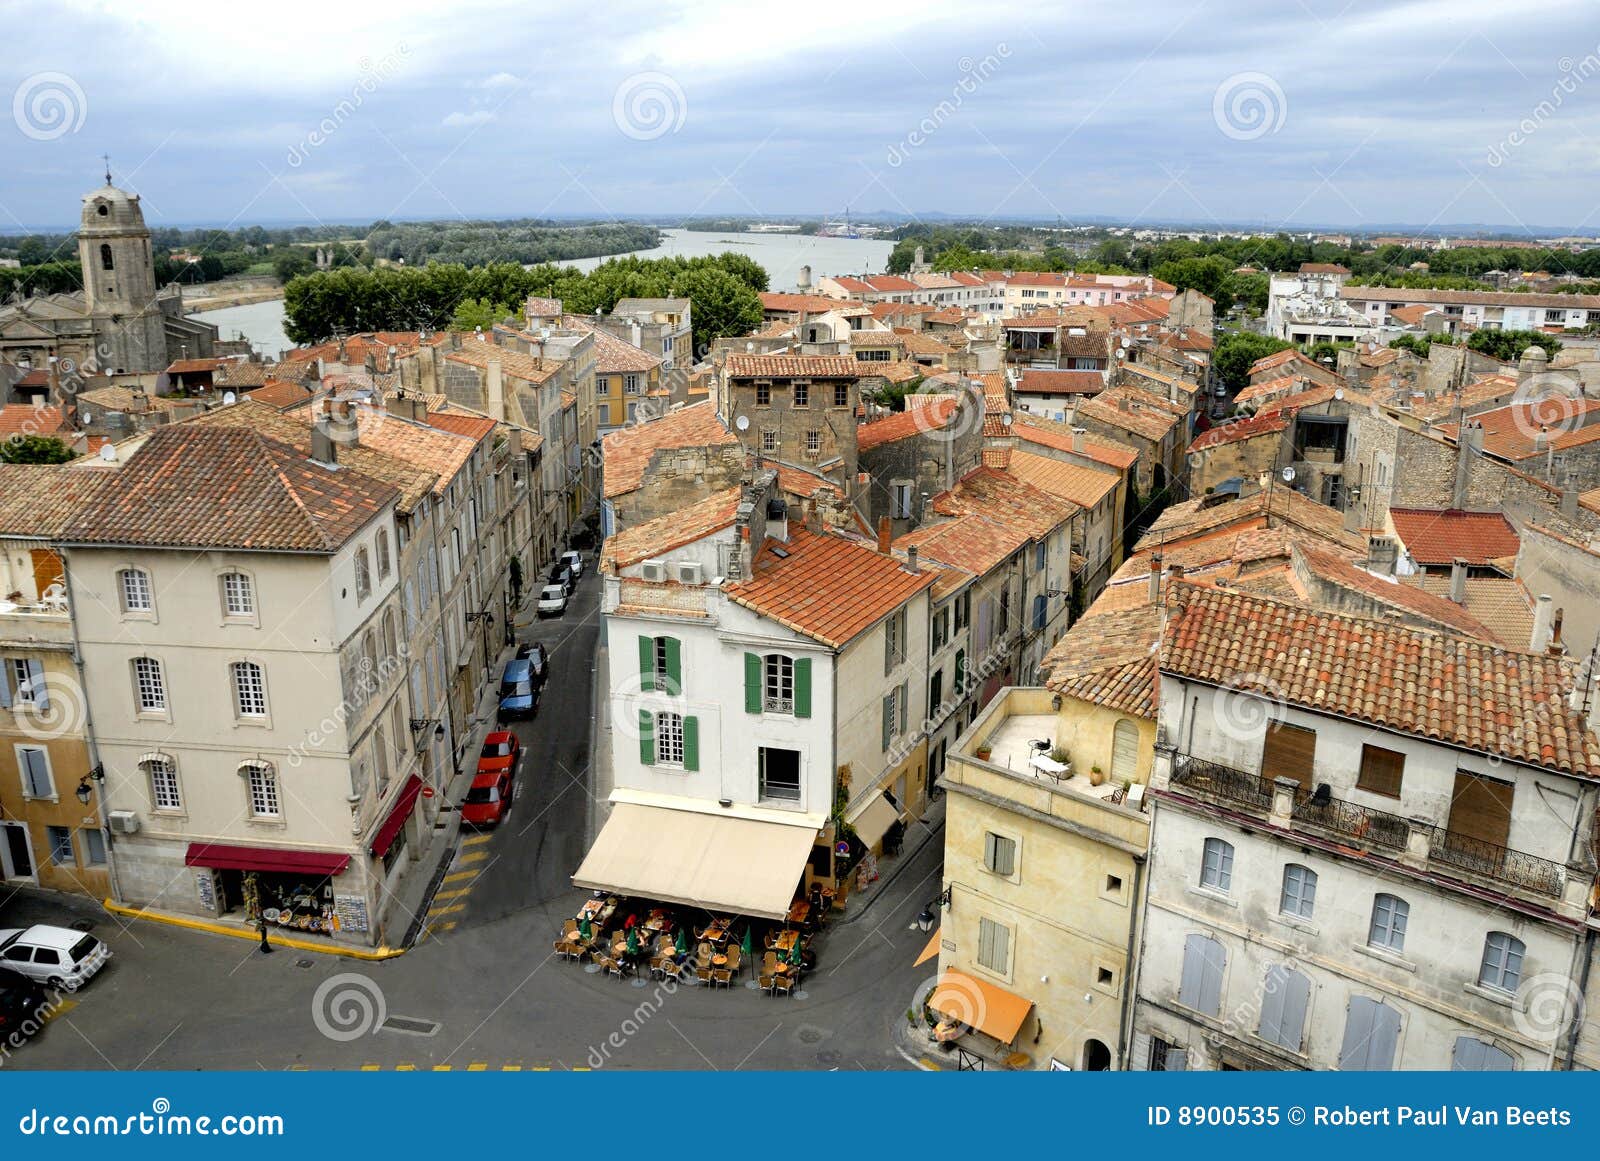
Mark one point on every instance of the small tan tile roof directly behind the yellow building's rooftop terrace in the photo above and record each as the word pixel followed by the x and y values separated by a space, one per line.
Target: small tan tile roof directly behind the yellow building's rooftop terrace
pixel 1110 660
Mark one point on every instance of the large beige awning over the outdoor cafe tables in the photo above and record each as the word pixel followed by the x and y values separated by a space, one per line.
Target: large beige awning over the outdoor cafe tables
pixel 714 861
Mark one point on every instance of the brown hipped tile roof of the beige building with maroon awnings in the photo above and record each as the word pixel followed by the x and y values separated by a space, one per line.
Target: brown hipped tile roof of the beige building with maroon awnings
pixel 191 487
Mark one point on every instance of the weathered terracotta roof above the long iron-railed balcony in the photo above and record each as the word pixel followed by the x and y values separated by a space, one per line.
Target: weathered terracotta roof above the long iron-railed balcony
pixel 1430 684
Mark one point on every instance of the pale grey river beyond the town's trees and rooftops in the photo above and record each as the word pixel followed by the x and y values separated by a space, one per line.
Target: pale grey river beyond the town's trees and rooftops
pixel 783 255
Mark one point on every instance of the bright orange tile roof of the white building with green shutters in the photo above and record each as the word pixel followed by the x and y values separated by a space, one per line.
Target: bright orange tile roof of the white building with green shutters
pixel 826 586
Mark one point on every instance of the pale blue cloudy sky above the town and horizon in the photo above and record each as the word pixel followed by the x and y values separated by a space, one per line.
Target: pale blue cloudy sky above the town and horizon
pixel 1426 113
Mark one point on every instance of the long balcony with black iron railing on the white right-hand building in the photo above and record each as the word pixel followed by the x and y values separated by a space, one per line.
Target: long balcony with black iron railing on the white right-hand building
pixel 1374 832
